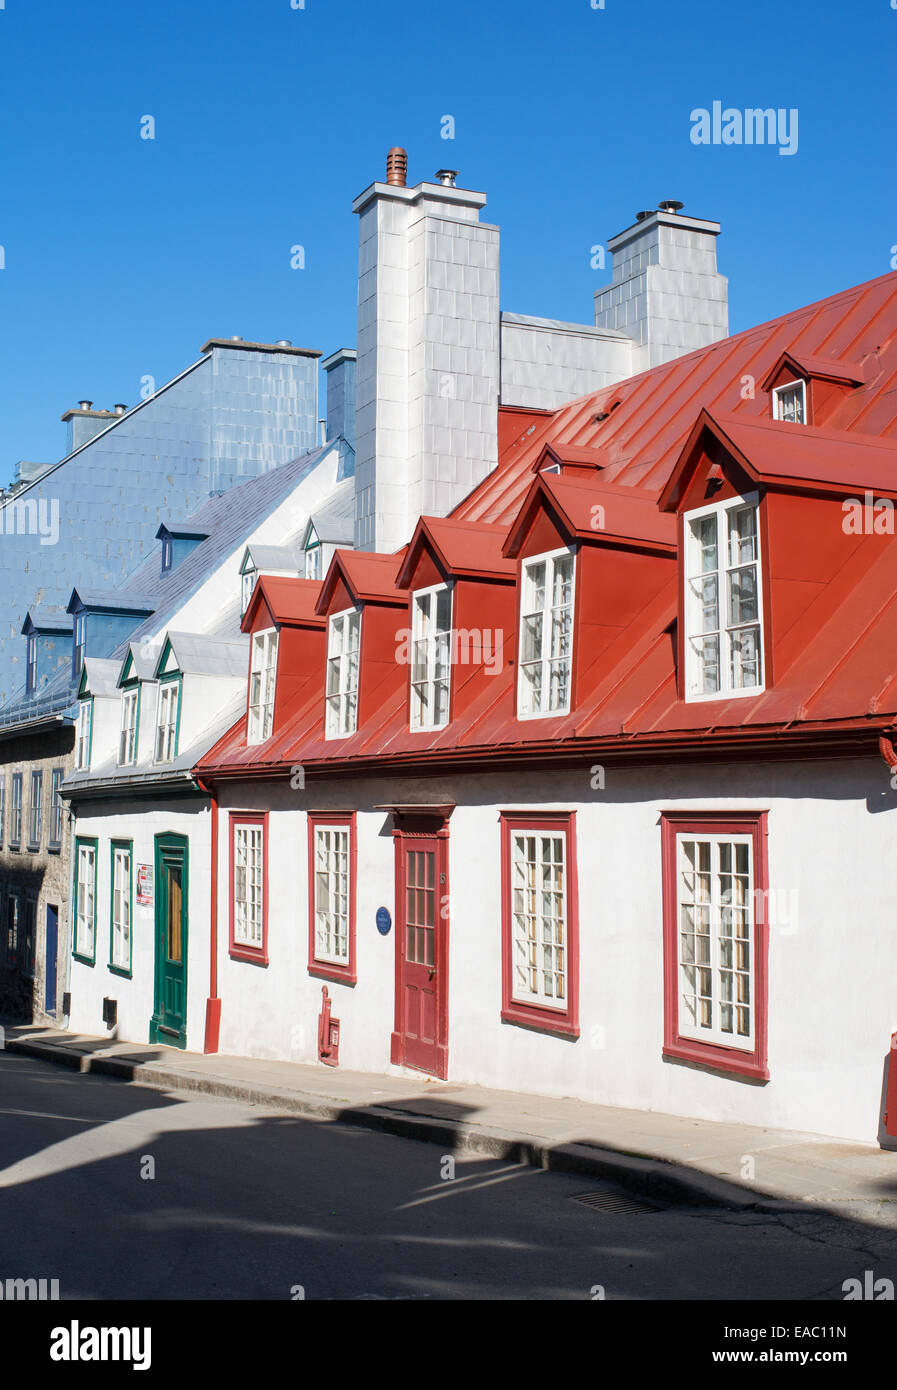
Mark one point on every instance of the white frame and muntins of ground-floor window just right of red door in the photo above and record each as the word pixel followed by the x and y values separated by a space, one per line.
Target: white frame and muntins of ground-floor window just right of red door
pixel 532 929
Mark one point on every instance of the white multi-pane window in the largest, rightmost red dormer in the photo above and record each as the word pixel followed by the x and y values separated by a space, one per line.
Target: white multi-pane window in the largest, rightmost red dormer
pixel 724 619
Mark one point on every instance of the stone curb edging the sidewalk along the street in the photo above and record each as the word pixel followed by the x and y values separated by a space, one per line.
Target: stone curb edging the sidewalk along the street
pixel 653 1178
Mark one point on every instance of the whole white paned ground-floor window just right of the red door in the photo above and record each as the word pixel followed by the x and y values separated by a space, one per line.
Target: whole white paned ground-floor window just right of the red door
pixel 539 918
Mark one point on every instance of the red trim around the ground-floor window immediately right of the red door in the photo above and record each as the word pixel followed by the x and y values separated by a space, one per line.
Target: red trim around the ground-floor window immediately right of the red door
pixel 564 1022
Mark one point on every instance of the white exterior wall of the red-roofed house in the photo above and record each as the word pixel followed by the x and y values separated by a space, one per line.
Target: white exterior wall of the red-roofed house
pixel 832 997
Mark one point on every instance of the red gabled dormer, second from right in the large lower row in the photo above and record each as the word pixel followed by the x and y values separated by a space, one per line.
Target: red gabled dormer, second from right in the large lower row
pixel 592 557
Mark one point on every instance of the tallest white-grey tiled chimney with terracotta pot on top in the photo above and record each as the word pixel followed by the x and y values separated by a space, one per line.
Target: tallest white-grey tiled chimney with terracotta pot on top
pixel 428 354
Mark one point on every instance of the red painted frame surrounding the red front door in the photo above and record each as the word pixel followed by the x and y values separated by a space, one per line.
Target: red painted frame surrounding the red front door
pixel 401 835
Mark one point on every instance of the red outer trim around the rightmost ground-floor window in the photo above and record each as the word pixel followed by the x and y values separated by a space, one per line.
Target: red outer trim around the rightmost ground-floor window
pixel 736 1061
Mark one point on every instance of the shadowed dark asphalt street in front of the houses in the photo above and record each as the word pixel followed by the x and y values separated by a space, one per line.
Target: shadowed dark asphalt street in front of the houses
pixel 120 1192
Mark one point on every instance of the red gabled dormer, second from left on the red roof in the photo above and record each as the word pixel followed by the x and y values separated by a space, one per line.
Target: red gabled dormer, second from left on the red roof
pixel 361 603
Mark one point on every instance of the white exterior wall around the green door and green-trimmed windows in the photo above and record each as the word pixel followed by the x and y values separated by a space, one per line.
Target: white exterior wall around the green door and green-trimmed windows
pixel 91 985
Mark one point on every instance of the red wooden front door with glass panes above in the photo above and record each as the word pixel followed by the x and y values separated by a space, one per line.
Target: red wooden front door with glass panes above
pixel 422 953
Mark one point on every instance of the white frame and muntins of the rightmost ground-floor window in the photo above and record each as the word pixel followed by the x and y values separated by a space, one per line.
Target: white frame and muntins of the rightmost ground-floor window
pixel 713 904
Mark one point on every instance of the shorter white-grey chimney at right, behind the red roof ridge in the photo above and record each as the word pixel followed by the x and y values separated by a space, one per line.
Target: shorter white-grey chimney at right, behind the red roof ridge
pixel 667 293
